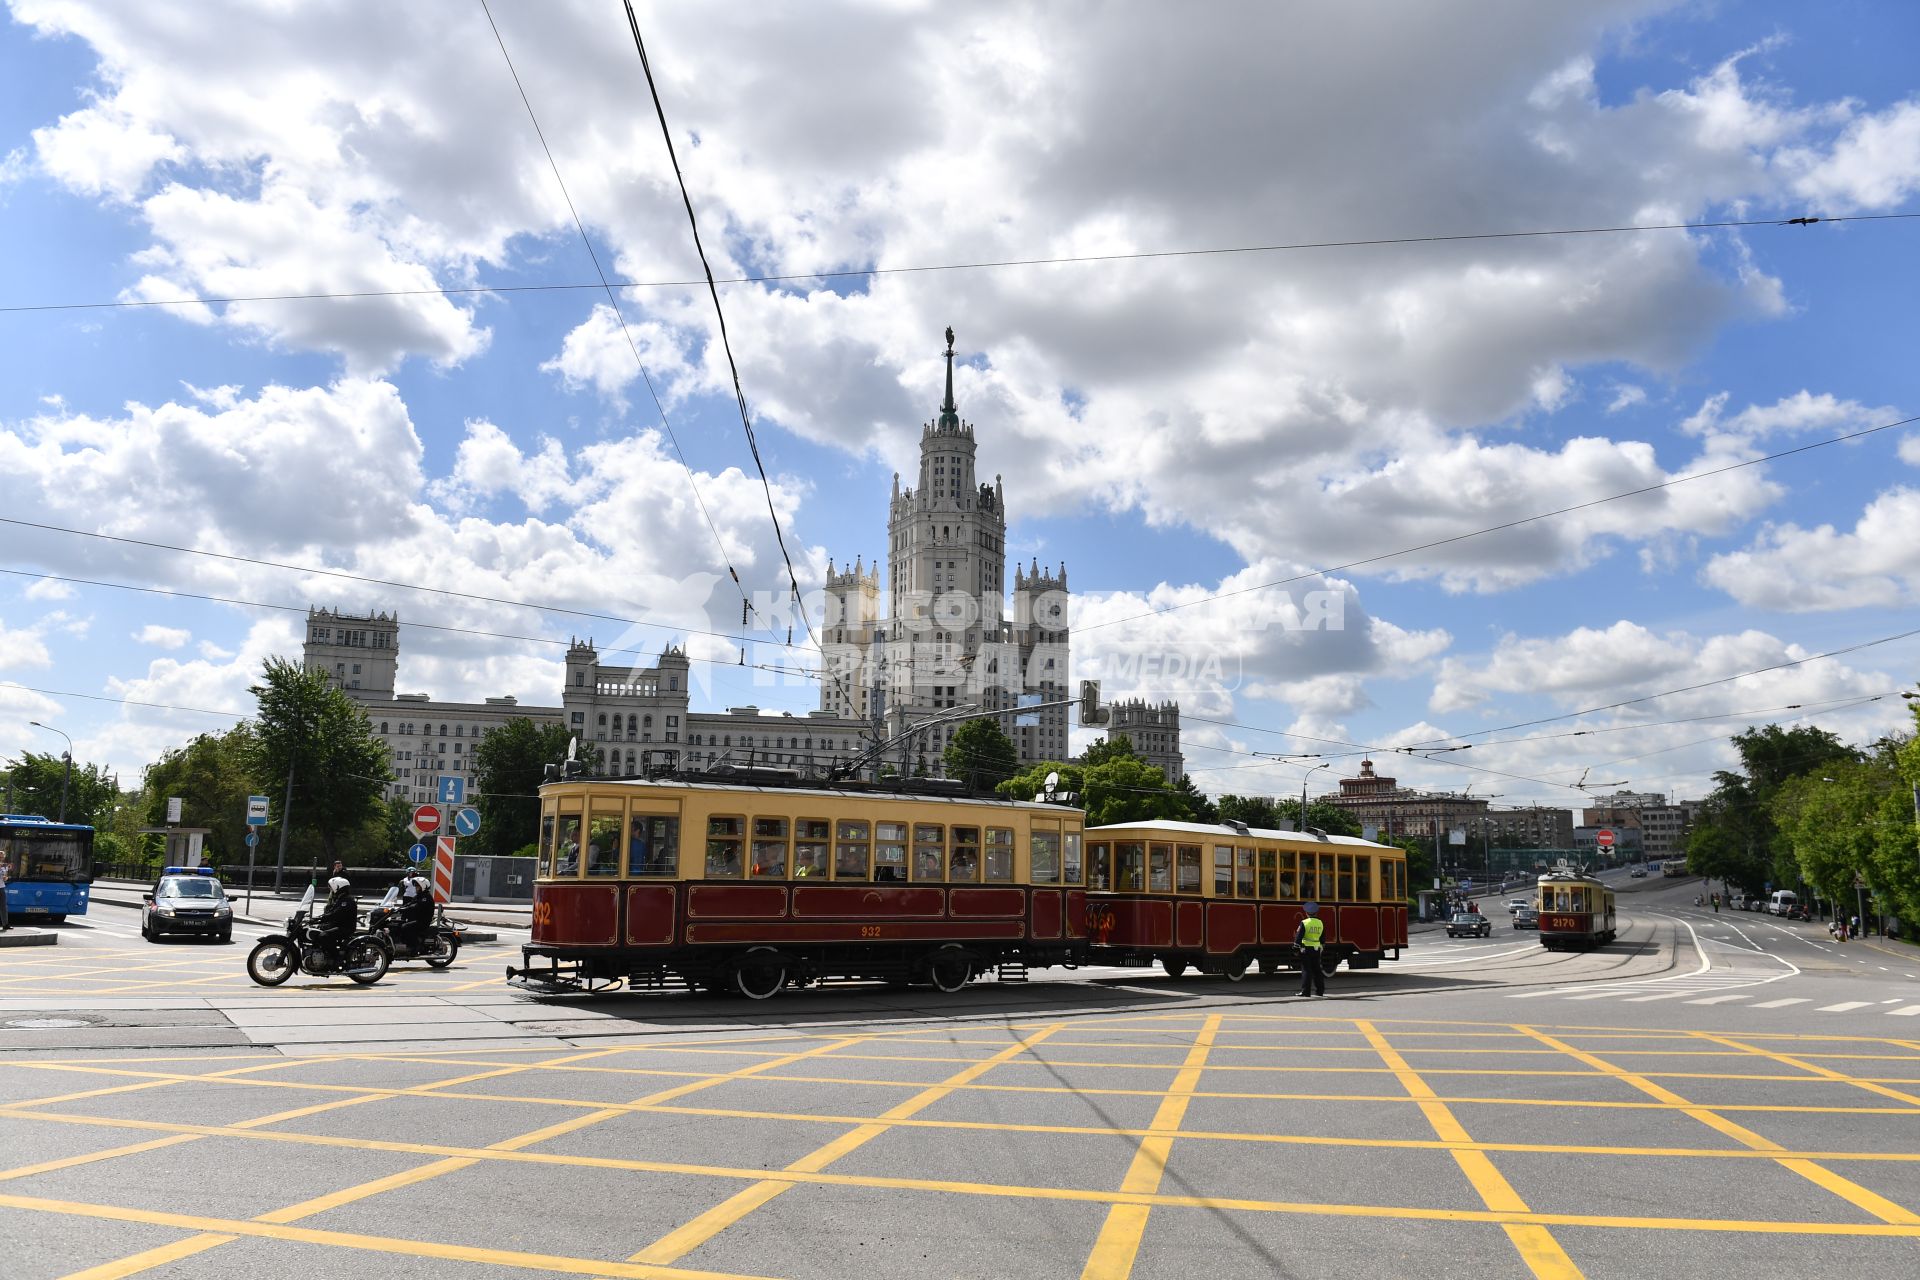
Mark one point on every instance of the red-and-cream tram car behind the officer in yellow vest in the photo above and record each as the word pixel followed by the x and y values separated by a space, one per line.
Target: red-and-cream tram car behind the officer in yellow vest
pixel 1222 899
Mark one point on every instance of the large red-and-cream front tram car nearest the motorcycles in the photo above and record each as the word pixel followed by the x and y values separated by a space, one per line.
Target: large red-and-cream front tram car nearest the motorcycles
pixel 757 888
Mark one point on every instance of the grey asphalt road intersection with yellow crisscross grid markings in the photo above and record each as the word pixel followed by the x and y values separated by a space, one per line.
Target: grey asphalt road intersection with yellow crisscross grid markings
pixel 1710 1093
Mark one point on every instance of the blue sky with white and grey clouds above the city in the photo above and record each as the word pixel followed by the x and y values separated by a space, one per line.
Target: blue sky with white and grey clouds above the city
pixel 1170 429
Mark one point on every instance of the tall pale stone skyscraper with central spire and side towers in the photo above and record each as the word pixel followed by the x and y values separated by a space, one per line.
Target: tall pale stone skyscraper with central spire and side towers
pixel 948 638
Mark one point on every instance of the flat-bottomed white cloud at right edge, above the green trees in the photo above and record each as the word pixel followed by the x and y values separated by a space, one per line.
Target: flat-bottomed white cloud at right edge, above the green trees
pixel 1804 571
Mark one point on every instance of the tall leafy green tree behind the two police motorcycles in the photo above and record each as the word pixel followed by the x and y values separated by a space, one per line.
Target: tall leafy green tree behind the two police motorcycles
pixel 312 730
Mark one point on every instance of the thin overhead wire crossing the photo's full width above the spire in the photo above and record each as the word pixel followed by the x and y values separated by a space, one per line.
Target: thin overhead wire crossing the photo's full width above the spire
pixel 1007 264
